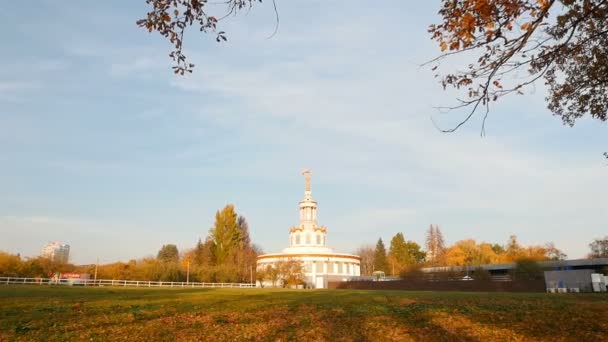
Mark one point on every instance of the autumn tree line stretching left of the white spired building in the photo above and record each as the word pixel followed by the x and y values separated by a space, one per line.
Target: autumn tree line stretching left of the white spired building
pixel 227 254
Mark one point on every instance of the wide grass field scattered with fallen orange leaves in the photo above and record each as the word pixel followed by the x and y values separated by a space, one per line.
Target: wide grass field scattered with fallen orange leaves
pixel 99 314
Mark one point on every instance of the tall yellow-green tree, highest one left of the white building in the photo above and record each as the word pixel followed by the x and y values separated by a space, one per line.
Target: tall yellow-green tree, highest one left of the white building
pixel 226 235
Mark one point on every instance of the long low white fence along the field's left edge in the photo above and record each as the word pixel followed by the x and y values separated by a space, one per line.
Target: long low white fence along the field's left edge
pixel 123 283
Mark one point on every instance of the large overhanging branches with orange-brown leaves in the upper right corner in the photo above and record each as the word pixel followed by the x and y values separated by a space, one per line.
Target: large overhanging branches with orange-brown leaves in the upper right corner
pixel 513 43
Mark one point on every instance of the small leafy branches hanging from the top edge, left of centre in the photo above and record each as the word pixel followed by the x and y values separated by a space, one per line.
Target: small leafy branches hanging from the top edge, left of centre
pixel 170 18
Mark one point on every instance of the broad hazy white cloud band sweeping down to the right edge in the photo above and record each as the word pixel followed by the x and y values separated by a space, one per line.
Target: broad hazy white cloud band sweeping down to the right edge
pixel 368 123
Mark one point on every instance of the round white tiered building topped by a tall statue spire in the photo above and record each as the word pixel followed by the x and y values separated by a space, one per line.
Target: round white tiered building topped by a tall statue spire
pixel 307 243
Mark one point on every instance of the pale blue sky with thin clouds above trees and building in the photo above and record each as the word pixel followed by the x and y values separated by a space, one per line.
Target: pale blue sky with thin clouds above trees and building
pixel 103 148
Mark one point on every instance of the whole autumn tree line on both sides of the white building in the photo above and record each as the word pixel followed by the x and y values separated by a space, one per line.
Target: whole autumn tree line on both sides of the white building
pixel 227 254
